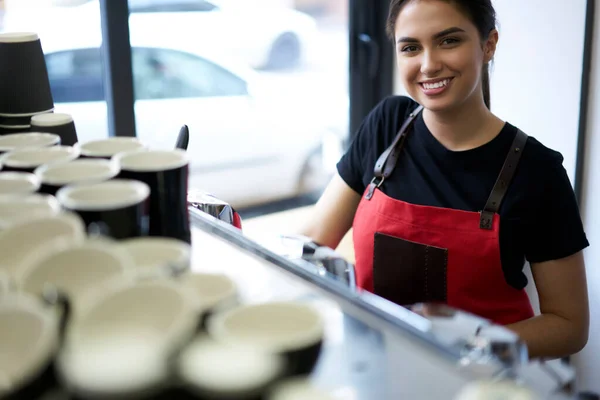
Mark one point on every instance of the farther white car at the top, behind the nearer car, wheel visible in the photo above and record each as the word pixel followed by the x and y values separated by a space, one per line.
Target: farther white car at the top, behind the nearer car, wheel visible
pixel 262 36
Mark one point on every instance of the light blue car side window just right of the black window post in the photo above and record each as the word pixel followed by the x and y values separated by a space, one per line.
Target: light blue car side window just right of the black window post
pixel 171 74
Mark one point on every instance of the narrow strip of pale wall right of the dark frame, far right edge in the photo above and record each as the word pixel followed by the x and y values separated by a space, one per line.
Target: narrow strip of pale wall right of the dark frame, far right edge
pixel 588 361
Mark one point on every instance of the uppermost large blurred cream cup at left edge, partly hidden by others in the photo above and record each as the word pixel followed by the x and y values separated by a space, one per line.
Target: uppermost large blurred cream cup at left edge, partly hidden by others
pixel 32 237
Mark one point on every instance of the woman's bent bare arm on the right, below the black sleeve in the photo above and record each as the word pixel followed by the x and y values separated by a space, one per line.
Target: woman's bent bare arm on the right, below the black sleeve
pixel 563 326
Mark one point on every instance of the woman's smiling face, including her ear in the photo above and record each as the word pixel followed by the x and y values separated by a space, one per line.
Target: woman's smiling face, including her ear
pixel 440 54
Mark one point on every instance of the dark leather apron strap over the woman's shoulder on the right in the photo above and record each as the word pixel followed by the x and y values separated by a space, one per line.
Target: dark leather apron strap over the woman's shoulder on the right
pixel 503 181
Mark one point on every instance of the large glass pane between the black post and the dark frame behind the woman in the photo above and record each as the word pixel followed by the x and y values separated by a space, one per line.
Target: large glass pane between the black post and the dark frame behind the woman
pixel 261 84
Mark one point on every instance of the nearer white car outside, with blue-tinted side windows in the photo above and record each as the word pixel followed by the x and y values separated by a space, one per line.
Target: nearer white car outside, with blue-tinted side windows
pixel 246 145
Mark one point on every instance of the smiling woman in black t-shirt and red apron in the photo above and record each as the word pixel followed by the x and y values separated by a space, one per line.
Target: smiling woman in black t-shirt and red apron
pixel 447 201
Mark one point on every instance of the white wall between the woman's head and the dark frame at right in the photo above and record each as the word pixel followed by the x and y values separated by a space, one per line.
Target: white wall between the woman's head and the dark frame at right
pixel 536 76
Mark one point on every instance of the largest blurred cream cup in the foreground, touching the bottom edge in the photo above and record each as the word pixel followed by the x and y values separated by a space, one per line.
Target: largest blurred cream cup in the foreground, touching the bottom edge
pixel 122 340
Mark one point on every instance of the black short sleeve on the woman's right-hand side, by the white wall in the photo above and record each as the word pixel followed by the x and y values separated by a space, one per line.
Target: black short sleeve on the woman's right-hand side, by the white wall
pixel 556 229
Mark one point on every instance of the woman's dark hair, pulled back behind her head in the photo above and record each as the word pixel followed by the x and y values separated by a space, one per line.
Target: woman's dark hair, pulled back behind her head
pixel 480 12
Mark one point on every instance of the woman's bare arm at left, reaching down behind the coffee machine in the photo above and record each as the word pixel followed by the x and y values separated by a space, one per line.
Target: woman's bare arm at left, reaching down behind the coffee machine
pixel 333 214
